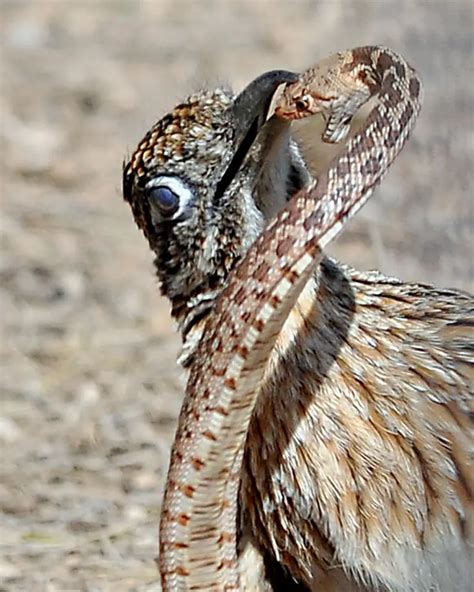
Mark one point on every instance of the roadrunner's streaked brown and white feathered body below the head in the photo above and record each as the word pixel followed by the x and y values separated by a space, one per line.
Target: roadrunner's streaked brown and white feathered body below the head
pixel 363 435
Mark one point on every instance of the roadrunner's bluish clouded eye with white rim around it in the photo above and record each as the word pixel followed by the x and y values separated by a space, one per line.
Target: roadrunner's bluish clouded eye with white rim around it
pixel 168 198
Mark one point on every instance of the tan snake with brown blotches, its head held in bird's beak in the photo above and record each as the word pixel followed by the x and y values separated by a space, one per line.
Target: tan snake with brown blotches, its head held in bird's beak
pixel 198 532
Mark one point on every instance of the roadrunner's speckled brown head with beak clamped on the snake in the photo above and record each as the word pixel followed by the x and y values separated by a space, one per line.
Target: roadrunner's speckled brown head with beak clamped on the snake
pixel 205 180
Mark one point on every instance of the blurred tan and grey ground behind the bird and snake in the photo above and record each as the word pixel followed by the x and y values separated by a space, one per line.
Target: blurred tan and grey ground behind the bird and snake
pixel 90 388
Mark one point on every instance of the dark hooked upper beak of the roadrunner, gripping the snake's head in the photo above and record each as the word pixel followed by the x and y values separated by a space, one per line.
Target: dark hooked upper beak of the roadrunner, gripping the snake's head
pixel 249 113
